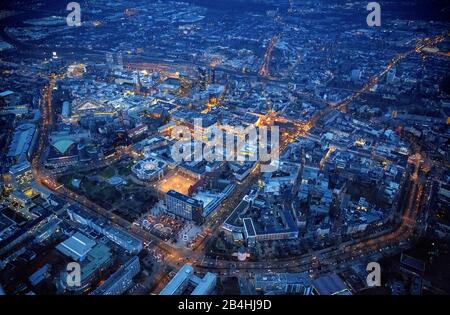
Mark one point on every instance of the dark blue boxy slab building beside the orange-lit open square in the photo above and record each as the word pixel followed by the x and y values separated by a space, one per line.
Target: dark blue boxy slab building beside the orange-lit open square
pixel 185 207
